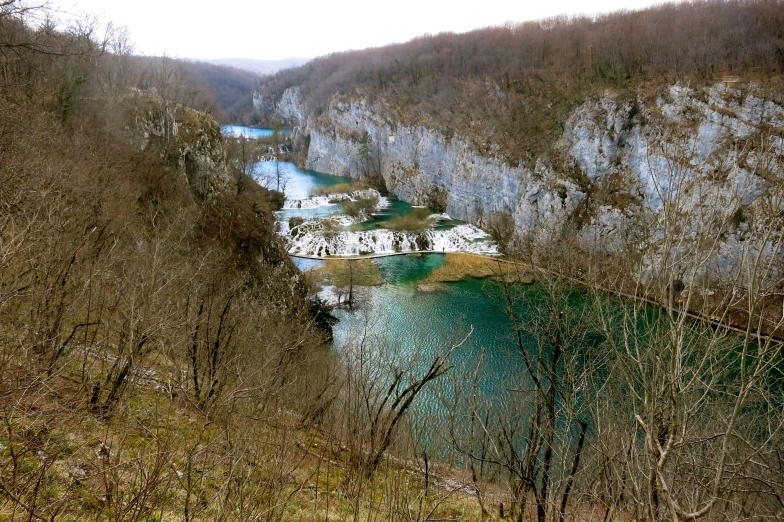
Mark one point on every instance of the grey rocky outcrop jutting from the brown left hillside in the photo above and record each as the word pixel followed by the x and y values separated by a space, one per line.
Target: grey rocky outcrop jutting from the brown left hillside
pixel 187 139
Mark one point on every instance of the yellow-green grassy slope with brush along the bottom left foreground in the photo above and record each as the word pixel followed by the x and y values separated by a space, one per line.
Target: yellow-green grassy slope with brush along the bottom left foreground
pixel 164 460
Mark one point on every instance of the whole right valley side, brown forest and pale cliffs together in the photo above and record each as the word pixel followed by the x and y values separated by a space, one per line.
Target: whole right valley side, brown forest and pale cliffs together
pixel 562 127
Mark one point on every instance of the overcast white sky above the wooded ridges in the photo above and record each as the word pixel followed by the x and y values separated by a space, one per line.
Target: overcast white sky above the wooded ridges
pixel 308 28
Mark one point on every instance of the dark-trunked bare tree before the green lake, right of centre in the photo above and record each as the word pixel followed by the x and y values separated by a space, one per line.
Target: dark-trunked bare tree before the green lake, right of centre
pixel 535 435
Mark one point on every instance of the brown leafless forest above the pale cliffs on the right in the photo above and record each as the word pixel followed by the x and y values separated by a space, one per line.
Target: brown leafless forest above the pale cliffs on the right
pixel 510 89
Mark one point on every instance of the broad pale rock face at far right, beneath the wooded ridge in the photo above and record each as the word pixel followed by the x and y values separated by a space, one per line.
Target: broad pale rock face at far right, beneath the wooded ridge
pixel 705 157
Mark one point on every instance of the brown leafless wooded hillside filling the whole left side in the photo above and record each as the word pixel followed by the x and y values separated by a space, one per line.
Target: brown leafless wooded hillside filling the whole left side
pixel 144 298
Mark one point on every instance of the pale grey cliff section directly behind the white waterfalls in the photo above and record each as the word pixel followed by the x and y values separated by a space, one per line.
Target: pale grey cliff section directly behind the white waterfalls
pixel 424 167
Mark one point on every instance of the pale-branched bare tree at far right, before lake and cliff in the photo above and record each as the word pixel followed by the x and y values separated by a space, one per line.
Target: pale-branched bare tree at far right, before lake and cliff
pixel 697 414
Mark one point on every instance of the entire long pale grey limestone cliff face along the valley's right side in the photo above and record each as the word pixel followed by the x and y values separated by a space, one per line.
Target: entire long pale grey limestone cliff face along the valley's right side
pixel 713 154
